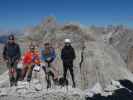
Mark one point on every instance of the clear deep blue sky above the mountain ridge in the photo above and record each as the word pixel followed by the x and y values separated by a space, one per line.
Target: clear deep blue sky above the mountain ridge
pixel 19 14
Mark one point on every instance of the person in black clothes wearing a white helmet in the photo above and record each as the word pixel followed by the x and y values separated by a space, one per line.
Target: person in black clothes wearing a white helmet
pixel 68 56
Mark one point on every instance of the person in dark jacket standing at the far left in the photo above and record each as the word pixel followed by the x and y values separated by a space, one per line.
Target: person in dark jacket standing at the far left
pixel 12 55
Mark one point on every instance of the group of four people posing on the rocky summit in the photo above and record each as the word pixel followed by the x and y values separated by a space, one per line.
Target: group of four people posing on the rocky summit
pixel 34 56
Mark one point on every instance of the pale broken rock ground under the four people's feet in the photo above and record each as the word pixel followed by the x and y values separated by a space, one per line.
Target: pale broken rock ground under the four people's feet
pixel 26 91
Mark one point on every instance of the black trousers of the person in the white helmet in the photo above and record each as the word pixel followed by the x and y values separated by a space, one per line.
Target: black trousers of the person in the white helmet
pixel 68 65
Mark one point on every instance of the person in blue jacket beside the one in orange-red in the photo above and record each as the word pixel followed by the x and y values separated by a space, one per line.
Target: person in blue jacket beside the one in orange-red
pixel 48 56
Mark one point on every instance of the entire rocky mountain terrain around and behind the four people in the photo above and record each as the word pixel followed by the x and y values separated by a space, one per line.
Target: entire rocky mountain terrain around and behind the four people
pixel 100 69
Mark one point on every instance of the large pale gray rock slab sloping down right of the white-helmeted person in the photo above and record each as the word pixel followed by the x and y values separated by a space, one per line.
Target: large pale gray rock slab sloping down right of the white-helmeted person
pixel 102 64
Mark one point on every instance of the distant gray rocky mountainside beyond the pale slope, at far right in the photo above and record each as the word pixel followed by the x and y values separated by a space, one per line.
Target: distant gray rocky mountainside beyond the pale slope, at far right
pixel 121 39
